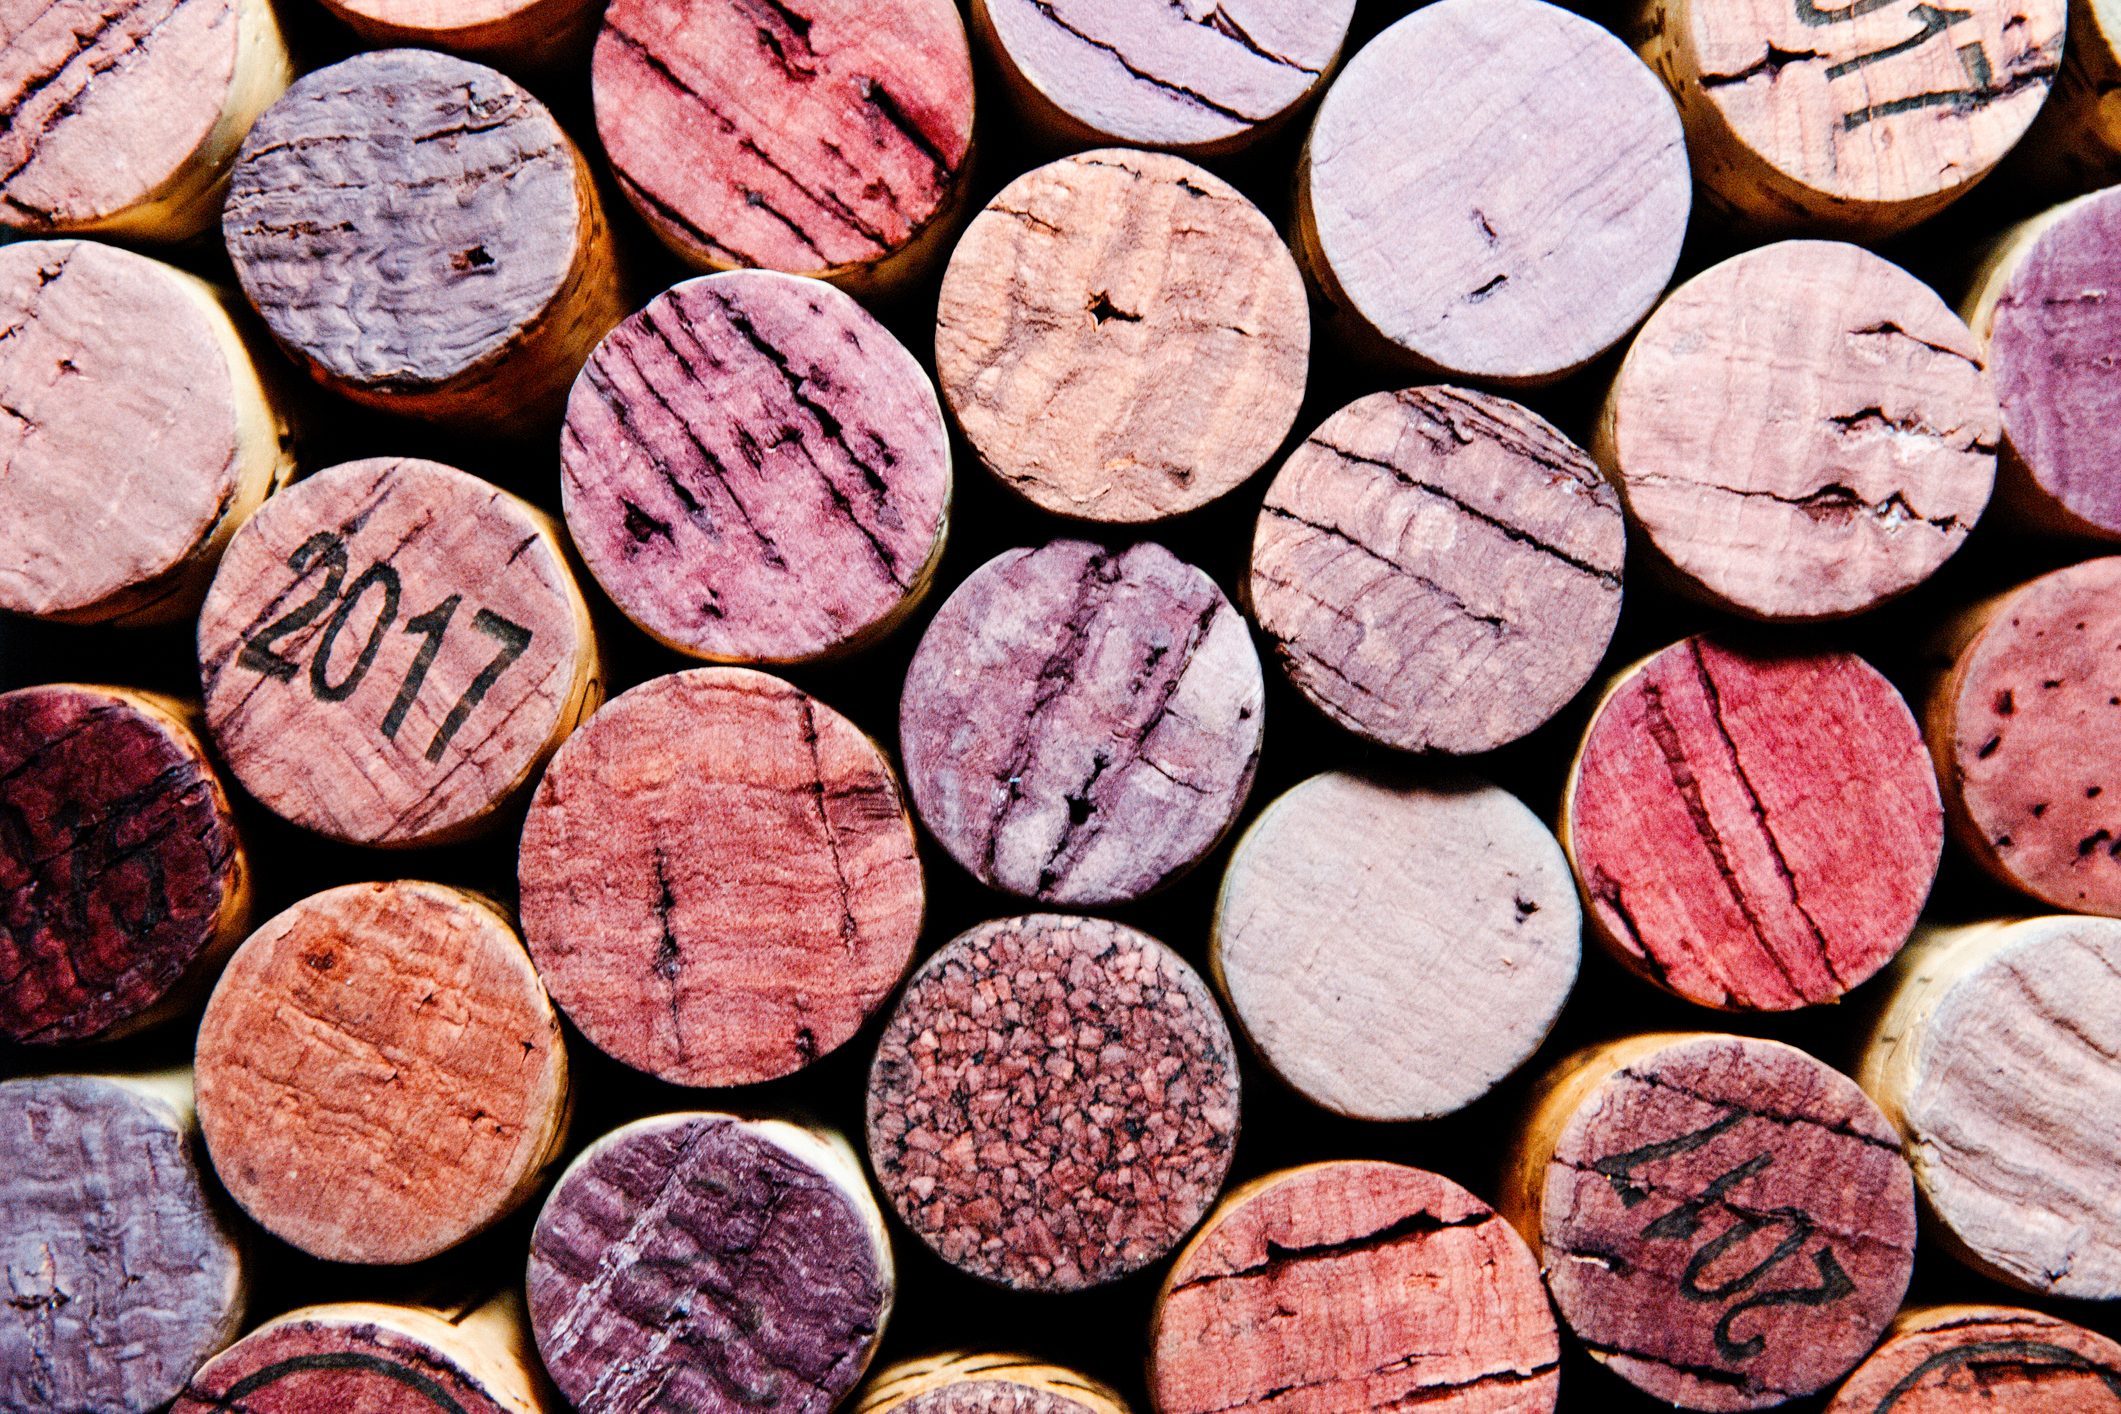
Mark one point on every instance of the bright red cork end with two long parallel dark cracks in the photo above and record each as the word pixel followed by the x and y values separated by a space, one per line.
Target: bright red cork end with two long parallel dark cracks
pixel 1753 832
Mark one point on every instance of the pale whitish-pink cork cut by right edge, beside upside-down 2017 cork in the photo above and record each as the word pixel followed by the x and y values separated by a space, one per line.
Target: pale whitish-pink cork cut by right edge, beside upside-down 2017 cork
pixel 1995 1046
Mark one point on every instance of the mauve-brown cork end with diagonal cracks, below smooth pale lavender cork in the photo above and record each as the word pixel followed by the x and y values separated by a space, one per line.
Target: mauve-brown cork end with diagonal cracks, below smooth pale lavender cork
pixel 1439 569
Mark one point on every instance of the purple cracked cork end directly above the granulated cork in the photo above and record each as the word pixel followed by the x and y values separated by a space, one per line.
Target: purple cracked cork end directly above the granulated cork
pixel 1083 726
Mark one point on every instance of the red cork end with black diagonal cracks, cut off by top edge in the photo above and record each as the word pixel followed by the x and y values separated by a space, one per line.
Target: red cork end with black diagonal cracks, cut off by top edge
pixel 809 139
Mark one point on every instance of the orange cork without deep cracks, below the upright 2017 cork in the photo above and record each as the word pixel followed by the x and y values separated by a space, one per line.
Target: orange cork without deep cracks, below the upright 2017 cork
pixel 381 1074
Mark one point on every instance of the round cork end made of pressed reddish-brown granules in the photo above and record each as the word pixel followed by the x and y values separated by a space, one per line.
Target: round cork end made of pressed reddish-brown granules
pixel 1053 1103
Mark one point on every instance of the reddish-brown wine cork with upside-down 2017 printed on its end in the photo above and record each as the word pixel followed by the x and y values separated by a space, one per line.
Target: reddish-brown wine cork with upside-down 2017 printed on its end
pixel 1723 1222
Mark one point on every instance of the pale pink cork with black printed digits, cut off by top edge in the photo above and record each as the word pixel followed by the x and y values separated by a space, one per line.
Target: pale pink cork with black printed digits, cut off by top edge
pixel 1857 118
